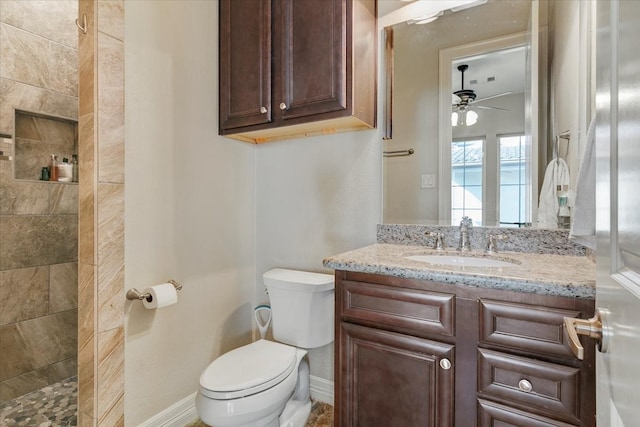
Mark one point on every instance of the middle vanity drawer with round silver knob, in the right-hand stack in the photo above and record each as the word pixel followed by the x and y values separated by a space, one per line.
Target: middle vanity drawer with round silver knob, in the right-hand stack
pixel 540 387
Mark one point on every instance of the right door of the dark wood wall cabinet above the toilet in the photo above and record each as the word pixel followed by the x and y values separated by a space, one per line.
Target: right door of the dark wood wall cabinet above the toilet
pixel 313 66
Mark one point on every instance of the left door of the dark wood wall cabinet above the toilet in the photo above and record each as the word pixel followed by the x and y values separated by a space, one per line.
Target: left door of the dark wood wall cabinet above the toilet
pixel 245 63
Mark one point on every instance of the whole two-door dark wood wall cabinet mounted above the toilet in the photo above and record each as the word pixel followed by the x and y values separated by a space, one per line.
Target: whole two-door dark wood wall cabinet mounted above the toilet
pixel 293 68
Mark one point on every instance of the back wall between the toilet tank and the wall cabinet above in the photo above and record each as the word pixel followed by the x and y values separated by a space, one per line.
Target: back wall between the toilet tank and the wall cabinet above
pixel 315 198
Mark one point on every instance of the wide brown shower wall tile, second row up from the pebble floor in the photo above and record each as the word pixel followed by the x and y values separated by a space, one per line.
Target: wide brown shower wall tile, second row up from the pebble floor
pixel 36 343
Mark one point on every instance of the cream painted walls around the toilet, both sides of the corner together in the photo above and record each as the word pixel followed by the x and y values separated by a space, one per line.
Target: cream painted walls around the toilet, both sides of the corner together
pixel 215 213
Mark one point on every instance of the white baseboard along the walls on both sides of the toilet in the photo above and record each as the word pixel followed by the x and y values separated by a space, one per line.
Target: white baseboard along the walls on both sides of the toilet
pixel 184 412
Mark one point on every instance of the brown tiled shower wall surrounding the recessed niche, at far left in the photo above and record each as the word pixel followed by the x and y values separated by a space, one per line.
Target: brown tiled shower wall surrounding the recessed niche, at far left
pixel 38 220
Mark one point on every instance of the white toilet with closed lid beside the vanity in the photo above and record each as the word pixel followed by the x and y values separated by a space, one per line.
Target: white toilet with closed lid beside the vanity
pixel 266 383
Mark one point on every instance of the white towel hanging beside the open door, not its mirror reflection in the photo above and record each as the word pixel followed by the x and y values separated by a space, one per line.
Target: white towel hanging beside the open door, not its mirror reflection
pixel 583 224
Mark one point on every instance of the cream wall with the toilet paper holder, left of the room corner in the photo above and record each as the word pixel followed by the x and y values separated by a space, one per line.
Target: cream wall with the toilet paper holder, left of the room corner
pixel 189 206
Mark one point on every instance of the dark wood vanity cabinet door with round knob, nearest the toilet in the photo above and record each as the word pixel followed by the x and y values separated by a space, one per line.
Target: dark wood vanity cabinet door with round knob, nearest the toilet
pixel 390 379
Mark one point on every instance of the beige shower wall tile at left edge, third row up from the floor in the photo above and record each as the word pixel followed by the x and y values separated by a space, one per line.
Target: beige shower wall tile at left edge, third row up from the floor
pixel 24 294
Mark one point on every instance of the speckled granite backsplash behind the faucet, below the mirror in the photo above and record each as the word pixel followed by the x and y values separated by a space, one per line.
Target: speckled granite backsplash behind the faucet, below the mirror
pixel 516 239
